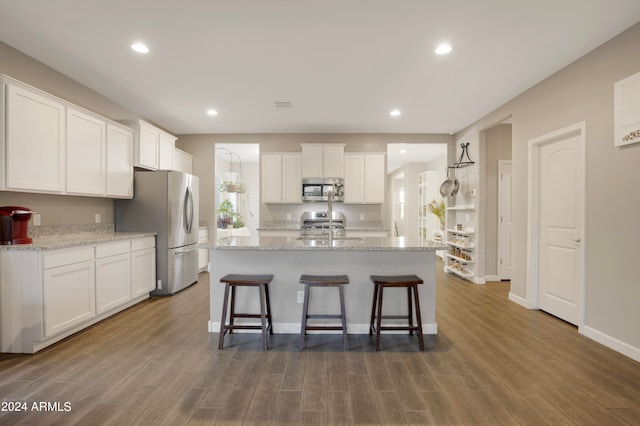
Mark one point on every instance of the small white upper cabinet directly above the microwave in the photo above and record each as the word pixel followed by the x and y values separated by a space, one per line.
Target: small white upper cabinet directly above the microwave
pixel 320 161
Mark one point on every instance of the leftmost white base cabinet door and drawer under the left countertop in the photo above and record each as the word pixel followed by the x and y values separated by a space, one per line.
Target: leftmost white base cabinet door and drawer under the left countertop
pixel 68 289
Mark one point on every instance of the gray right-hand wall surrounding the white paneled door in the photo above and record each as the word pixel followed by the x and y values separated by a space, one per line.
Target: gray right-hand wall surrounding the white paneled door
pixel 583 91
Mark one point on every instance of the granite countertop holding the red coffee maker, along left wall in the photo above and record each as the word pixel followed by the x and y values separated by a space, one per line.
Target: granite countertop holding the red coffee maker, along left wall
pixel 53 242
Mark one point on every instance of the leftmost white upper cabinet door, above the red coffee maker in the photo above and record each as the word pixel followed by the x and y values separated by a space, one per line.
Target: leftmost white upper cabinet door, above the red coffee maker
pixel 35 142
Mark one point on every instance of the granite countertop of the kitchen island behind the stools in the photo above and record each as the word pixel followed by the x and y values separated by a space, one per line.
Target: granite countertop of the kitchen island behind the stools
pixel 348 244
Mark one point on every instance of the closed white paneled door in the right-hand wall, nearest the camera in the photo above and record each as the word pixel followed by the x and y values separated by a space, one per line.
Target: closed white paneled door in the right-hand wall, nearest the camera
pixel 560 214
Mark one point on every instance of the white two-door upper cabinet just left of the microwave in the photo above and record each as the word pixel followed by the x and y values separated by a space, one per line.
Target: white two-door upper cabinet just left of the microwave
pixel 282 178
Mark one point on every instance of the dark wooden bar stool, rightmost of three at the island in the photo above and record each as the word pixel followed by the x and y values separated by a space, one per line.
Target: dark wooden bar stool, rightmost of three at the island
pixel 408 281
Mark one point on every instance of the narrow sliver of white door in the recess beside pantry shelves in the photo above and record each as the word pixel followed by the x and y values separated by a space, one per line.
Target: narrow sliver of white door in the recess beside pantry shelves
pixel 505 220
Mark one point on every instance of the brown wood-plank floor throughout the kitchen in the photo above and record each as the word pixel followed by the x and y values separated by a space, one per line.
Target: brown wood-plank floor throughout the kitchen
pixel 492 362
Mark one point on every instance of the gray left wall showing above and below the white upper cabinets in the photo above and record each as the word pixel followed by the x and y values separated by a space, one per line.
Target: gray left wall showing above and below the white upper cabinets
pixel 58 209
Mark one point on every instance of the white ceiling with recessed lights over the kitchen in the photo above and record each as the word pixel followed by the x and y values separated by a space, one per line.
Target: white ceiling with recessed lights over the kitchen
pixel 342 63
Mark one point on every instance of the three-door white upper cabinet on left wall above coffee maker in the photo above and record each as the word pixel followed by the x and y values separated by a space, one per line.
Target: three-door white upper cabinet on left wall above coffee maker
pixel 53 146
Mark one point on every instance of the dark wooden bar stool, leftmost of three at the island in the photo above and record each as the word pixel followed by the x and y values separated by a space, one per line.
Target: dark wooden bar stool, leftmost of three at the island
pixel 232 281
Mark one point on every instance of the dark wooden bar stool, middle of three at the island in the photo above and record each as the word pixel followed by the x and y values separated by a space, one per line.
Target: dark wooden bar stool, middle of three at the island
pixel 323 281
